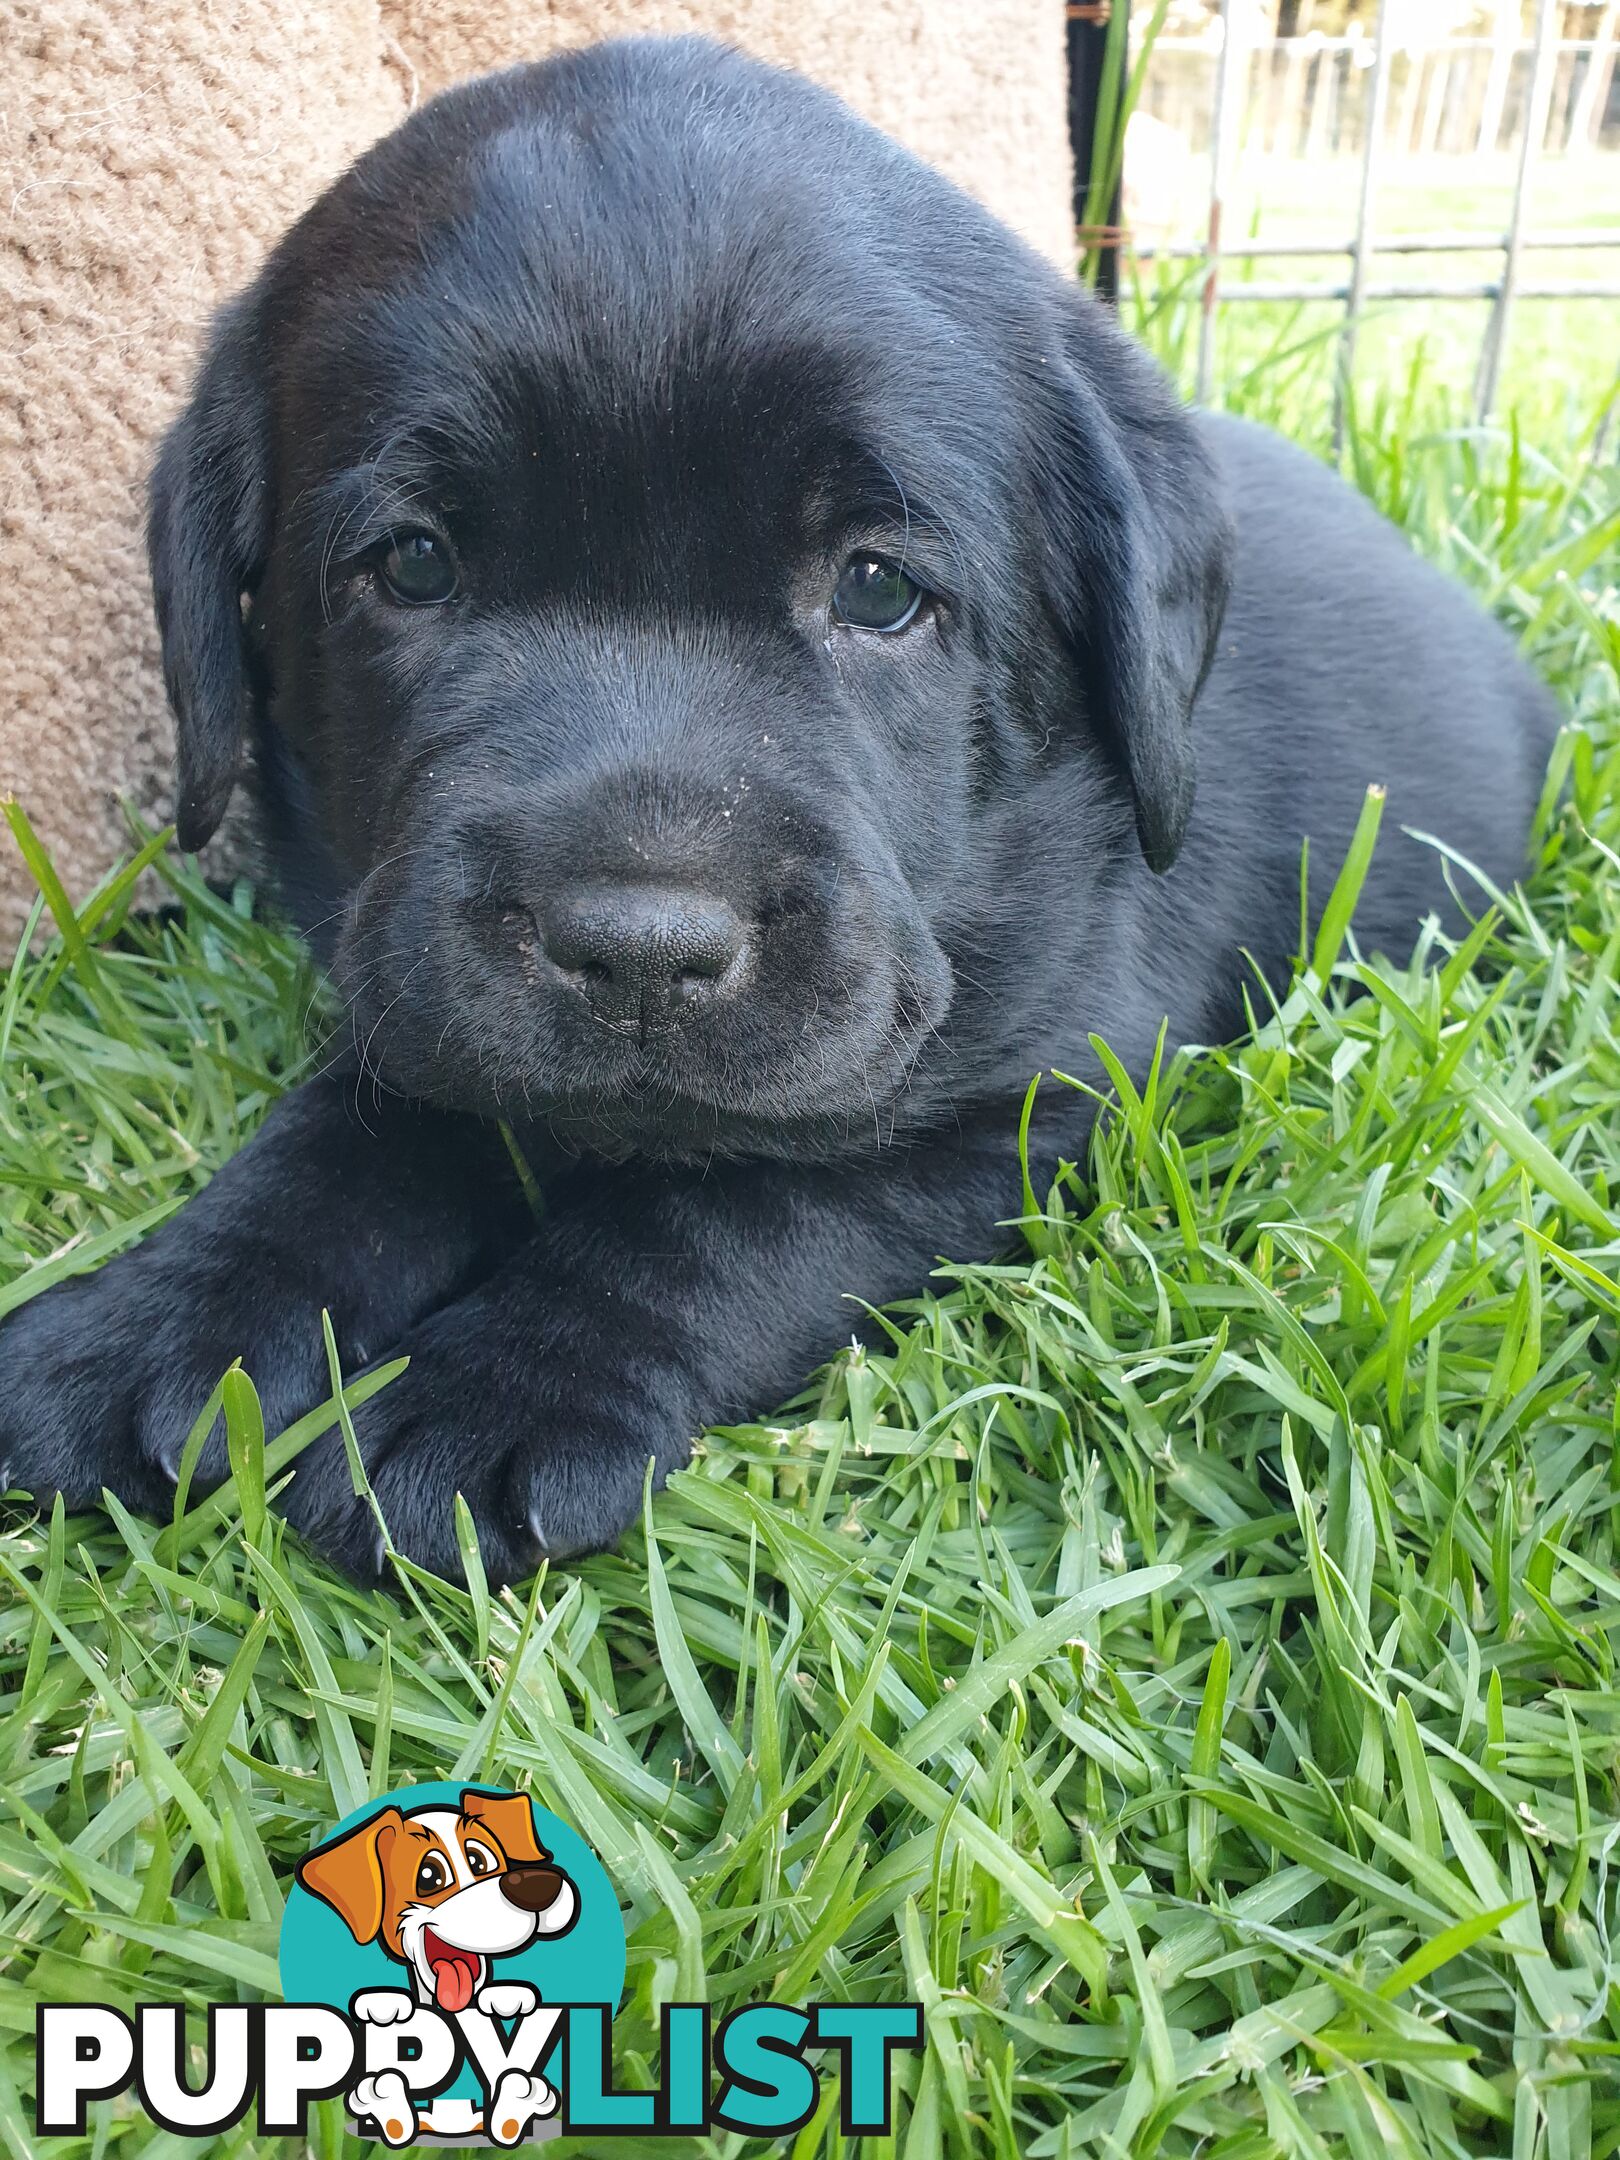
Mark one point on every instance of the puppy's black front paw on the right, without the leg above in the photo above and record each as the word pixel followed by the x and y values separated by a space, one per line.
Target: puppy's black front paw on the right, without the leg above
pixel 550 1457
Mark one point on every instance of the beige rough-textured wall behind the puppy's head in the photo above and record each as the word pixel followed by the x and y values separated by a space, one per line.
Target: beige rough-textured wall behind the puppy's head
pixel 152 150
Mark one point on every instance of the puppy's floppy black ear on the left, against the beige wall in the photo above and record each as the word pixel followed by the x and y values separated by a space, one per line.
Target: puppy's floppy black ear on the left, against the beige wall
pixel 208 532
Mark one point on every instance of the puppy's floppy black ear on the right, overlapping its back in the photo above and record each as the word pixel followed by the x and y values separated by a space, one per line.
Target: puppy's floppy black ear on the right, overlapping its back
pixel 1139 561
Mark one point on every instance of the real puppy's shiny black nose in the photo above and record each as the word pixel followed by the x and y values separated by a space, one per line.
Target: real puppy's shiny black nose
pixel 647 954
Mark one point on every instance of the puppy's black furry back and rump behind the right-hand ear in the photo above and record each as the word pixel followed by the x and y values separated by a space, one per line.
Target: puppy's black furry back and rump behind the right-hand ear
pixel 1345 660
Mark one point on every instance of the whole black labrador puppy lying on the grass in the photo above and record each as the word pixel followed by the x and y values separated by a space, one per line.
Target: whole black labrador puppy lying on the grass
pixel 740 664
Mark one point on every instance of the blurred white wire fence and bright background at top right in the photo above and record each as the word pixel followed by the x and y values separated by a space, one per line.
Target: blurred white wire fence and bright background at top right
pixel 1433 178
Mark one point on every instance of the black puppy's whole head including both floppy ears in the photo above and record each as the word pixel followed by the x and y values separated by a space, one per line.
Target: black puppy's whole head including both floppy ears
pixel 690 580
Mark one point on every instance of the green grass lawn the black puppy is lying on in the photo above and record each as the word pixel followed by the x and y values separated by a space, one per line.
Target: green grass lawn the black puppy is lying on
pixel 1185 1660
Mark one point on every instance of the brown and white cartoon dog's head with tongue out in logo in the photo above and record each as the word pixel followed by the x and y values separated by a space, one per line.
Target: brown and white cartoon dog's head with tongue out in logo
pixel 446 1891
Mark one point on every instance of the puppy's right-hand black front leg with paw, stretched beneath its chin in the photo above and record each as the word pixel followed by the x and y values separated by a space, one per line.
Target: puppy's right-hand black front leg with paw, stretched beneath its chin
pixel 649 1306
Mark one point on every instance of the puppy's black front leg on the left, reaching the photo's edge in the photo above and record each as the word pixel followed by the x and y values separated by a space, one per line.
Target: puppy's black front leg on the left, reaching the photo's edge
pixel 375 1211
